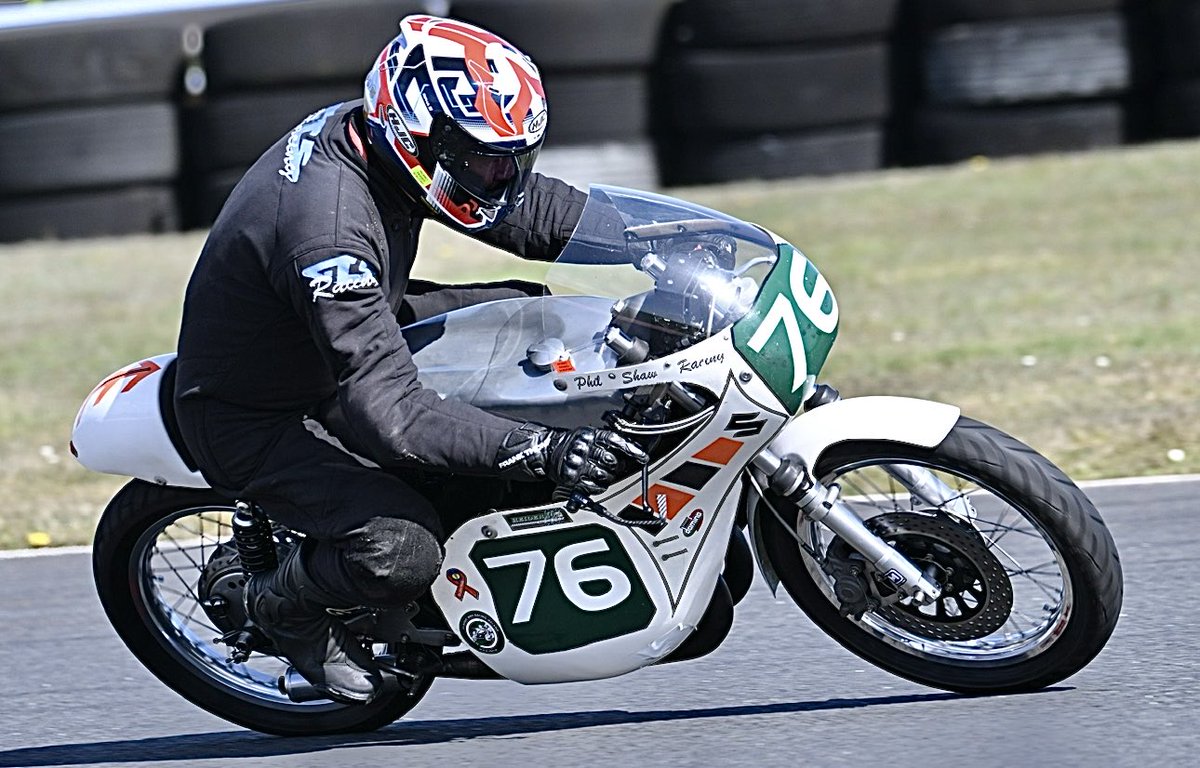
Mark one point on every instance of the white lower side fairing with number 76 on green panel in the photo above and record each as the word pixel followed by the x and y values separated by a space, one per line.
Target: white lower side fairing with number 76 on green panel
pixel 545 597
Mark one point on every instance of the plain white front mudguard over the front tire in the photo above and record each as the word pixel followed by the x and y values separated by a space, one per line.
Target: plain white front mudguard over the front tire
pixel 811 434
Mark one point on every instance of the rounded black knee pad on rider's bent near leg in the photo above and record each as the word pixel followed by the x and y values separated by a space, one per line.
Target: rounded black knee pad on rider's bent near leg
pixel 394 561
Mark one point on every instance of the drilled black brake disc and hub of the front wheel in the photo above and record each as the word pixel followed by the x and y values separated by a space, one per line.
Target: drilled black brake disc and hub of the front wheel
pixel 977 596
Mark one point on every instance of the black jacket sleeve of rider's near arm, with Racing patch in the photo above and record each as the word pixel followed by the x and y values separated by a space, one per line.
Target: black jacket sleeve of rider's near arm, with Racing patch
pixel 393 419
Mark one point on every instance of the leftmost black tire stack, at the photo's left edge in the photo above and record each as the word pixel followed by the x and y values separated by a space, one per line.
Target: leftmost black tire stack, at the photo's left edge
pixel 89 131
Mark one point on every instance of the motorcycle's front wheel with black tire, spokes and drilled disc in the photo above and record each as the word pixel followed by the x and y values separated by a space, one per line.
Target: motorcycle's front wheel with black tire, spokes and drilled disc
pixel 1031 577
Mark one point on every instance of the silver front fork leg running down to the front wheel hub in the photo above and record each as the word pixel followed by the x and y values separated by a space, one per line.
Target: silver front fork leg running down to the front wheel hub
pixel 791 479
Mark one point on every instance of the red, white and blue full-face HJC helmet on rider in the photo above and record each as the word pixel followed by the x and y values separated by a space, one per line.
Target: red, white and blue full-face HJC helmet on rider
pixel 463 113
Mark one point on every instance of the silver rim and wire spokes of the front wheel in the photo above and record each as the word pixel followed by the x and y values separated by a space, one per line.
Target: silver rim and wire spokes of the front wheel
pixel 1036 569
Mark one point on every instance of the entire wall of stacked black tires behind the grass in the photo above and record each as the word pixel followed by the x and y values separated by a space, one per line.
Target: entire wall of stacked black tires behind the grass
pixel 146 123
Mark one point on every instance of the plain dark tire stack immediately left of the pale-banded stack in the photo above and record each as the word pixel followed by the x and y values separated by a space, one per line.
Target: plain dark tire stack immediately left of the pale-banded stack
pixel 773 88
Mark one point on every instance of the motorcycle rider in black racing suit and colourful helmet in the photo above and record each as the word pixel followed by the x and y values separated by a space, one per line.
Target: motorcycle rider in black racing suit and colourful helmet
pixel 293 317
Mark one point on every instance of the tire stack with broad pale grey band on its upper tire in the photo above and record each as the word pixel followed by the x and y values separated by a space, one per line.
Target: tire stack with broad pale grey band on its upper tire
pixel 1012 77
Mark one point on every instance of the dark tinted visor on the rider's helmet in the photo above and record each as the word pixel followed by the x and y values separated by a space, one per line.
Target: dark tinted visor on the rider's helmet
pixel 494 176
